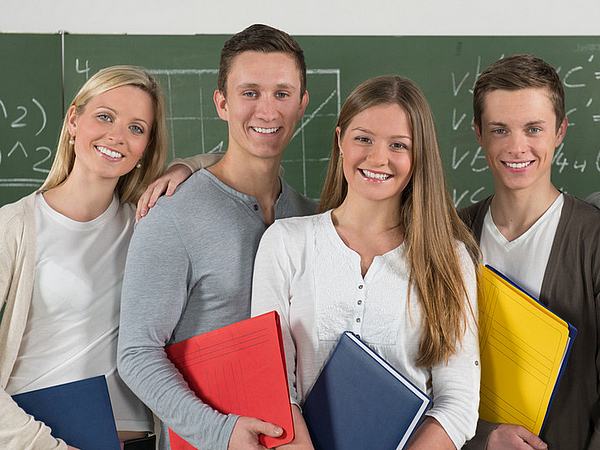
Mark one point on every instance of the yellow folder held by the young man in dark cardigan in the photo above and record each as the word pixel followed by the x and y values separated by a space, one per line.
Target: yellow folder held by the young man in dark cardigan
pixel 524 347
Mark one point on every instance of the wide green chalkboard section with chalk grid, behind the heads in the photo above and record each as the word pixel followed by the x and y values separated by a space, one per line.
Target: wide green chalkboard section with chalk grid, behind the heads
pixel 444 67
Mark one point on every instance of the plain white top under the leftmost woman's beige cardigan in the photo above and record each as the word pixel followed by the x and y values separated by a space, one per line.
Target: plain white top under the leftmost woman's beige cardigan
pixel 73 321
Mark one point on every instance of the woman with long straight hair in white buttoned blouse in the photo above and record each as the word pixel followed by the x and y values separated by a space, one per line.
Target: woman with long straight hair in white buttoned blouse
pixel 388 258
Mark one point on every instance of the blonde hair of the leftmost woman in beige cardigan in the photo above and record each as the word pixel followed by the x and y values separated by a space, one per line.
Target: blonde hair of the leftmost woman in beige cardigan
pixel 131 185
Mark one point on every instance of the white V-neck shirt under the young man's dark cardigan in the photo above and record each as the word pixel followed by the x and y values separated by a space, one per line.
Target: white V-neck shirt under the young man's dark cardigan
pixel 527 254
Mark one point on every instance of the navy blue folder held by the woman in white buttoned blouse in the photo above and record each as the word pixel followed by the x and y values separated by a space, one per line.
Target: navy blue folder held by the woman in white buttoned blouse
pixel 359 401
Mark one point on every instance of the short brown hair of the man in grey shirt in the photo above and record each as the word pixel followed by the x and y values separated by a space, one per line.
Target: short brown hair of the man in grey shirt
pixel 260 38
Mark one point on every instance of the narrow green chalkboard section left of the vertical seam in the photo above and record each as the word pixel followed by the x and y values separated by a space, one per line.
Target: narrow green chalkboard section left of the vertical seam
pixel 30 110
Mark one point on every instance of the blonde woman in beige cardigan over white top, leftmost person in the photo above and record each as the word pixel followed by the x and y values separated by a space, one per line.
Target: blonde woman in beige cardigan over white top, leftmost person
pixel 63 249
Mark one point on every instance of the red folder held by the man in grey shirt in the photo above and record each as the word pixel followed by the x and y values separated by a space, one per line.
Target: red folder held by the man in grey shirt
pixel 239 369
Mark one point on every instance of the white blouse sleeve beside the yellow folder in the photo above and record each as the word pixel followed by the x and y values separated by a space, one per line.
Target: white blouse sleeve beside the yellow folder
pixel 456 384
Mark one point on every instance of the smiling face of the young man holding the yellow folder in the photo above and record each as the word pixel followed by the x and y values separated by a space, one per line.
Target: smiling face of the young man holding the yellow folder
pixel 519 135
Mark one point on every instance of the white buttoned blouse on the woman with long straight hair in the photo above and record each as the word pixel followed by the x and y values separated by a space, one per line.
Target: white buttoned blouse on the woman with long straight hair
pixel 305 272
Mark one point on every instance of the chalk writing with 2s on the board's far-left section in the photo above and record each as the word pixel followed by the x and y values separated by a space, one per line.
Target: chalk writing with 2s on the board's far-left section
pixel 20 122
